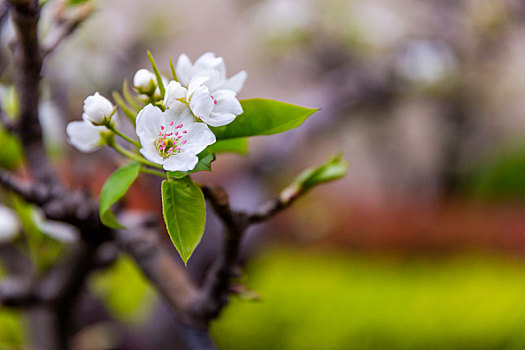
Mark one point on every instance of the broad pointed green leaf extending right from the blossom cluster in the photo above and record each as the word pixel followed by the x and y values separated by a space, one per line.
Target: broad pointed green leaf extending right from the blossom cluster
pixel 263 117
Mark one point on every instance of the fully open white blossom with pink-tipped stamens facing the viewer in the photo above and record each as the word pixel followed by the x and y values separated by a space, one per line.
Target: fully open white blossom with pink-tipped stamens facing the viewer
pixel 172 138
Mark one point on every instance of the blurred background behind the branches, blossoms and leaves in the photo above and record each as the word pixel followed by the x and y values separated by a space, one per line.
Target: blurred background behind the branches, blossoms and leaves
pixel 420 246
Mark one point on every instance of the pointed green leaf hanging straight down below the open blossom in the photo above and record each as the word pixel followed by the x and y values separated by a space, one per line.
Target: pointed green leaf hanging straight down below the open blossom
pixel 184 213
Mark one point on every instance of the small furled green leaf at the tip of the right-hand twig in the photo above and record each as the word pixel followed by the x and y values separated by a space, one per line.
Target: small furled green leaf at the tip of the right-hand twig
pixel 334 169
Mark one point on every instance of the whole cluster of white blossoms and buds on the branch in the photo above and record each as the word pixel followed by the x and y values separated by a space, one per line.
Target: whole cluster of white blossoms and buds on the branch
pixel 172 129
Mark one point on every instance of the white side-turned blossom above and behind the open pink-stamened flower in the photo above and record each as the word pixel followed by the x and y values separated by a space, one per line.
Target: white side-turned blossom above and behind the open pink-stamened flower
pixel 211 97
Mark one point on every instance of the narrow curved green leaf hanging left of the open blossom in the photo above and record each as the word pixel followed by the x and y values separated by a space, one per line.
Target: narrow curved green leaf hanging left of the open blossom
pixel 114 189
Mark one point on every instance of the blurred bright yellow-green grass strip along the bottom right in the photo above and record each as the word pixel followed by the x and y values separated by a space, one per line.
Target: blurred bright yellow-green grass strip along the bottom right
pixel 315 300
